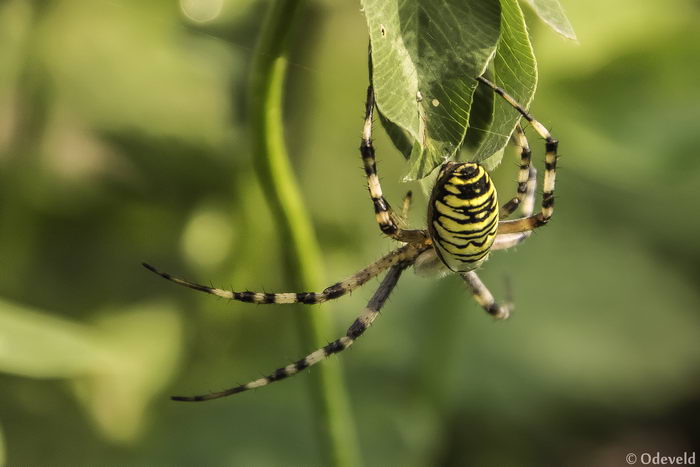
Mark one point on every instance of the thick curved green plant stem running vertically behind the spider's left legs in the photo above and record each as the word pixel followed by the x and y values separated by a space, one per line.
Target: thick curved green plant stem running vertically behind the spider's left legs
pixel 336 429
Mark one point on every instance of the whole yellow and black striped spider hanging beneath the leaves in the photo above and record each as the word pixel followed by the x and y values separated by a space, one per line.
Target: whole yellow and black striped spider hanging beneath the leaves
pixel 463 228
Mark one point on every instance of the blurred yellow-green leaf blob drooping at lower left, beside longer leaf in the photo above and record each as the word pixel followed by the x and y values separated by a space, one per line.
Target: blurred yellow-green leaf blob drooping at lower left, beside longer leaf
pixel 140 347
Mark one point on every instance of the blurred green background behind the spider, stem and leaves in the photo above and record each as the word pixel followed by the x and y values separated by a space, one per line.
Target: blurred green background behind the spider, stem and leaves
pixel 122 140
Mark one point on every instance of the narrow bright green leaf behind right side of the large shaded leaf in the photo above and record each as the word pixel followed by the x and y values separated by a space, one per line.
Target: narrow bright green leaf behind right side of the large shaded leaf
pixel 515 70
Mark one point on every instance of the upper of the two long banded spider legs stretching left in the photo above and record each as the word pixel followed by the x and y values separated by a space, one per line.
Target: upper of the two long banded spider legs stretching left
pixel 308 298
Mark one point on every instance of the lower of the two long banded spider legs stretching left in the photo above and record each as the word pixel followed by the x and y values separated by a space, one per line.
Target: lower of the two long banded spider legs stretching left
pixel 356 329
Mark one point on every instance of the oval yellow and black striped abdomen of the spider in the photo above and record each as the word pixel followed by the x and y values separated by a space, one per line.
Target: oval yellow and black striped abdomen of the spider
pixel 463 215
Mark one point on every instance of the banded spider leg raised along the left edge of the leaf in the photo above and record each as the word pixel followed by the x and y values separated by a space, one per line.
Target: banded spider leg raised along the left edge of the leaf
pixel 382 209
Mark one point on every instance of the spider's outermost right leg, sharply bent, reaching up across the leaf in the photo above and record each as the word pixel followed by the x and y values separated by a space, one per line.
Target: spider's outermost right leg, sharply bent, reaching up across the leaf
pixel 550 164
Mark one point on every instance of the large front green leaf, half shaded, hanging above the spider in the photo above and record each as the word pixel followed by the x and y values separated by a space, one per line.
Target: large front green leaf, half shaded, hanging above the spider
pixel 425 56
